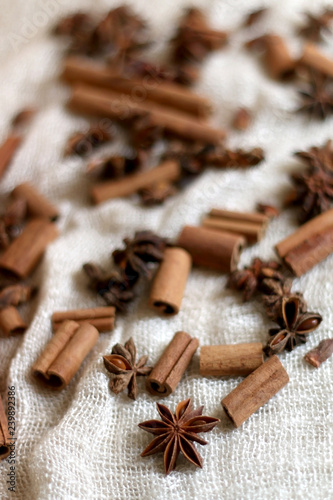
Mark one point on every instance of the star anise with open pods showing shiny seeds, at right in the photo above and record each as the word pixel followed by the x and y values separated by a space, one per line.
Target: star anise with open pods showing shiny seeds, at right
pixel 294 327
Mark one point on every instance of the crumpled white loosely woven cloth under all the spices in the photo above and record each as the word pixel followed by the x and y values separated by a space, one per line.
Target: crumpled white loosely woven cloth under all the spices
pixel 84 442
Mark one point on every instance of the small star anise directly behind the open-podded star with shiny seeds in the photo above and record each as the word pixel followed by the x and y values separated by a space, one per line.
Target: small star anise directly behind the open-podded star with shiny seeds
pixel 273 294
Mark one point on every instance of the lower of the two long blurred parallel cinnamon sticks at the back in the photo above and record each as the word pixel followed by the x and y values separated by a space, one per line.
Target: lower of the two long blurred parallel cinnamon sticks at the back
pixel 89 100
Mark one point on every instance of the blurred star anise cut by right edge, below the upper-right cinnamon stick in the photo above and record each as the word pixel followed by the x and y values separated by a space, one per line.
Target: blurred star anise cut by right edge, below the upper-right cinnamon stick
pixel 318 98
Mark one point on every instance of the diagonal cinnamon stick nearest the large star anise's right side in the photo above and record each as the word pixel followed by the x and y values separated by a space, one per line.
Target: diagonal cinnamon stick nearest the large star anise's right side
pixel 258 388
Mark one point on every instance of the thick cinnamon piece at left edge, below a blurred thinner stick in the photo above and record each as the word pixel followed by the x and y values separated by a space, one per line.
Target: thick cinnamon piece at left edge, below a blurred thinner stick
pixel 24 253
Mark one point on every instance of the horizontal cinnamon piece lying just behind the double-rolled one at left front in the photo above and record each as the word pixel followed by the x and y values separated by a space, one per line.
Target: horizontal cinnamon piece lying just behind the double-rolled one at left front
pixel 102 318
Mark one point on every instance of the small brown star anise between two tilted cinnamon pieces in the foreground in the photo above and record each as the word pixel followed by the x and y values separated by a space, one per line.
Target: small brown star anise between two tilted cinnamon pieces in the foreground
pixel 121 363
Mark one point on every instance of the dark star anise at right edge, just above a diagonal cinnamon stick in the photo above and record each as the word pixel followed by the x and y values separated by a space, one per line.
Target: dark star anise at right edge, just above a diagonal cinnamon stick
pixel 313 193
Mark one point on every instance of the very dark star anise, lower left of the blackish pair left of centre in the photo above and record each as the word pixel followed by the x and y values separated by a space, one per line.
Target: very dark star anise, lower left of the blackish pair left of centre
pixel 114 288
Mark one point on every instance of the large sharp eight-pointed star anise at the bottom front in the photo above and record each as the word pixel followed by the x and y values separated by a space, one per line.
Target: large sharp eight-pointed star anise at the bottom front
pixel 176 432
